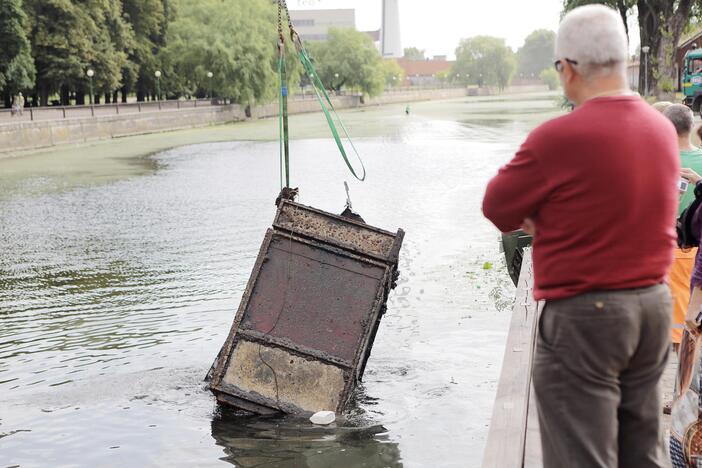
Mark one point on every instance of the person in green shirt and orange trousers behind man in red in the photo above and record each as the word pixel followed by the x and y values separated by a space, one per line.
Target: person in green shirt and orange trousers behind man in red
pixel 681 271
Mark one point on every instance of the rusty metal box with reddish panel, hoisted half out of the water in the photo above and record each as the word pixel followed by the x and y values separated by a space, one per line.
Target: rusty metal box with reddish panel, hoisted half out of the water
pixel 310 312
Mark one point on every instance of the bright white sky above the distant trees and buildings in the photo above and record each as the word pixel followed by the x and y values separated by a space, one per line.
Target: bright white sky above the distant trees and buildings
pixel 438 25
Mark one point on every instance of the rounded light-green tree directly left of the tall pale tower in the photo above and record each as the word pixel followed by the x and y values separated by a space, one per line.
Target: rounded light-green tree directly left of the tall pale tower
pixel 349 58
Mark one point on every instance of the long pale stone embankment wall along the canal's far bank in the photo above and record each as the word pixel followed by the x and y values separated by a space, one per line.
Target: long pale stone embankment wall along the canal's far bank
pixel 27 135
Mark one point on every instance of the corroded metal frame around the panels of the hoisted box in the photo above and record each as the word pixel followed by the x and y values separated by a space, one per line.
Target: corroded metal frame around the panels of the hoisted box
pixel 381 250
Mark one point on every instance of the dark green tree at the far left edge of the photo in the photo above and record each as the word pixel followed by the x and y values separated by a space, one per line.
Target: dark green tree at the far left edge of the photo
pixel 17 72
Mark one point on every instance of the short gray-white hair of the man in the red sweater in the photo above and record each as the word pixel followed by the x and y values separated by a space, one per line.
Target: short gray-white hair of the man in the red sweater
pixel 594 36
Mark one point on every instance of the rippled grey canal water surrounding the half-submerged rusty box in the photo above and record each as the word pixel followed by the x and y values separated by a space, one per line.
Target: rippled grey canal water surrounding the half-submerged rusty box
pixel 115 296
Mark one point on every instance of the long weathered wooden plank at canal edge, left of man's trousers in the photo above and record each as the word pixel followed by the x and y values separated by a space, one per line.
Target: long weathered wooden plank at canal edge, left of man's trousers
pixel 507 437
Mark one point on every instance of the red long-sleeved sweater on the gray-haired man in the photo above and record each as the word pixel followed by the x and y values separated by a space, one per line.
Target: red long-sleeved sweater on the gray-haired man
pixel 601 186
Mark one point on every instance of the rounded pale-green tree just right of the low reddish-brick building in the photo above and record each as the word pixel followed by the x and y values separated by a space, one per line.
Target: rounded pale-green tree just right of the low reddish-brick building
pixel 485 60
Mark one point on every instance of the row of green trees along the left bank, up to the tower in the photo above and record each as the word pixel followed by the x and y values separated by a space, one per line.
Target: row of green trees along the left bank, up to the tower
pixel 197 49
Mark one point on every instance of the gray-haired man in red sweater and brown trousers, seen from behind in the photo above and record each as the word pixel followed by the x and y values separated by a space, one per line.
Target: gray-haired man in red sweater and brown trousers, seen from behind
pixel 598 190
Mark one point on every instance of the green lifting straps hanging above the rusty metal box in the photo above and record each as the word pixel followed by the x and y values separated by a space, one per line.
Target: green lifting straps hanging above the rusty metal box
pixel 333 119
